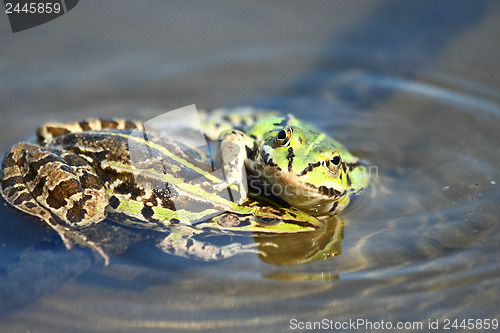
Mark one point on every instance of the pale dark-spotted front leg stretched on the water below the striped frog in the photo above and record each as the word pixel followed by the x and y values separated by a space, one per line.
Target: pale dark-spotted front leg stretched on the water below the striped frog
pixel 182 243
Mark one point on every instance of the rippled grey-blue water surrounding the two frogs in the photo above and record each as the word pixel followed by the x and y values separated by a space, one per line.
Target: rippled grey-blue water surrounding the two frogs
pixel 409 86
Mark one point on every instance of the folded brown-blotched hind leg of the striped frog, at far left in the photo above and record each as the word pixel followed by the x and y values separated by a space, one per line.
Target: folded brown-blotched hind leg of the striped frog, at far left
pixel 59 188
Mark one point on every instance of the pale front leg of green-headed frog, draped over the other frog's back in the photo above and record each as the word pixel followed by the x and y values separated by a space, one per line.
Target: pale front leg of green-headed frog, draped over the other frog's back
pixel 231 154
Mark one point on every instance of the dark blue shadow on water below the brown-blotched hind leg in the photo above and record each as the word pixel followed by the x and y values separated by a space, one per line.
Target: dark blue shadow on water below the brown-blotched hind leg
pixel 33 261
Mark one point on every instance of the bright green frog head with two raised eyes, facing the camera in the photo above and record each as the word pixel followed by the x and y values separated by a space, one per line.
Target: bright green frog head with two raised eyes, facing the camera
pixel 302 165
